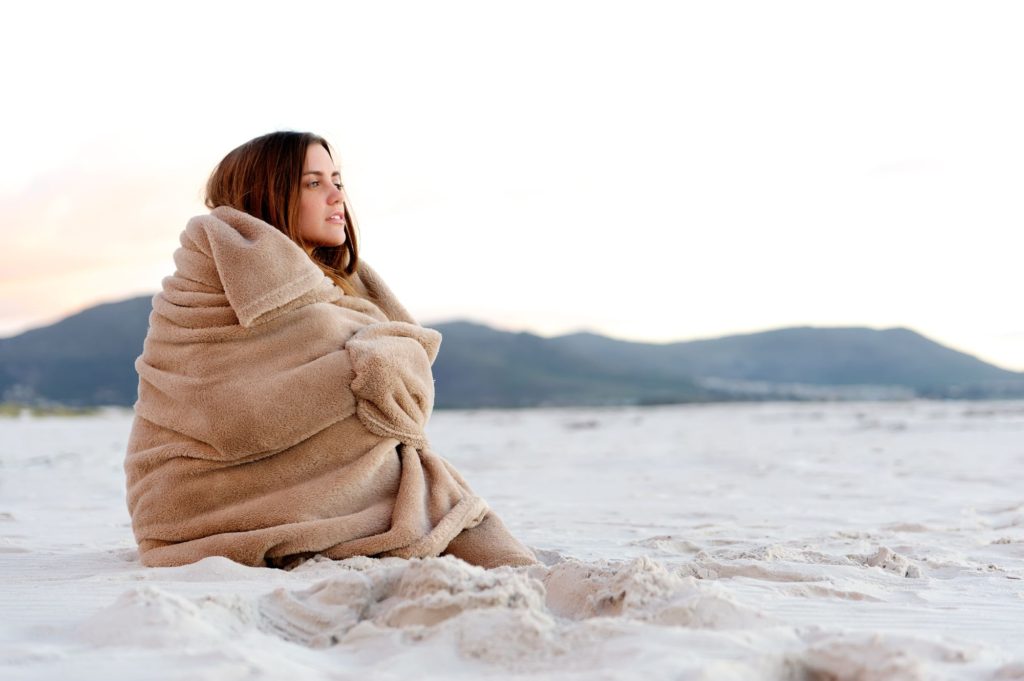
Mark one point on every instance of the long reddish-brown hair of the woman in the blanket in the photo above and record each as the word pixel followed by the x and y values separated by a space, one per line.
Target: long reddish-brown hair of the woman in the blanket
pixel 263 179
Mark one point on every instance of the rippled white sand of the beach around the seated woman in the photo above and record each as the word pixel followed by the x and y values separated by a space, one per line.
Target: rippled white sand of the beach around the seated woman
pixel 864 541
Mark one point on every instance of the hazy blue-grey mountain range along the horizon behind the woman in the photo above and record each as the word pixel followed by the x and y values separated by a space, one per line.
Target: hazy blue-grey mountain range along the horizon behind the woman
pixel 89 359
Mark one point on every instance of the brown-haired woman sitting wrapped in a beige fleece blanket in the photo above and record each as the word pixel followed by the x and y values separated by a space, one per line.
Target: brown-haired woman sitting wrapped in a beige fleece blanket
pixel 284 390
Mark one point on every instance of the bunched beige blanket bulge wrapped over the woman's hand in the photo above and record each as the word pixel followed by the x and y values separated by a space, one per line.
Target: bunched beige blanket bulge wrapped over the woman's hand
pixel 394 385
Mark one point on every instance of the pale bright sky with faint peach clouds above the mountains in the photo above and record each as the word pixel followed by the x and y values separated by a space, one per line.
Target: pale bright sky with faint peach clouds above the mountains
pixel 652 172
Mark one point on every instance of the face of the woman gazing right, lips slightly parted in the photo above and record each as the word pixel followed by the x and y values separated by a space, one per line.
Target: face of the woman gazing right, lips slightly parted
pixel 322 208
